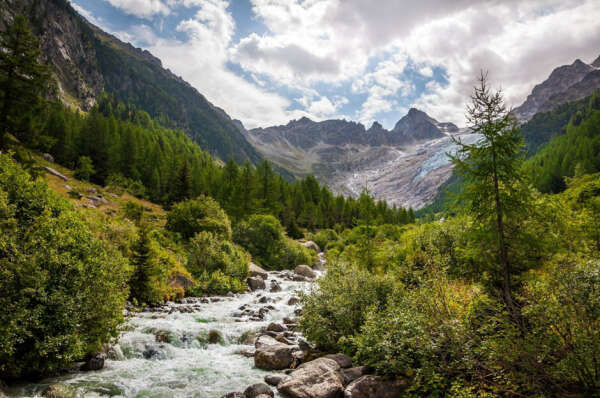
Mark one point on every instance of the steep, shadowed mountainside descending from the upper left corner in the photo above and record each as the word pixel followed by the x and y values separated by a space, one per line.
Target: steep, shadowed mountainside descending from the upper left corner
pixel 88 61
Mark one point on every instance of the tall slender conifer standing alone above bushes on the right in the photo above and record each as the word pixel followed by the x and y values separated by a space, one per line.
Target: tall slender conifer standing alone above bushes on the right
pixel 496 190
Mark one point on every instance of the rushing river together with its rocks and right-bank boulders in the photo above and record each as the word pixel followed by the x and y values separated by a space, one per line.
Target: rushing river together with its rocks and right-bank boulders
pixel 237 346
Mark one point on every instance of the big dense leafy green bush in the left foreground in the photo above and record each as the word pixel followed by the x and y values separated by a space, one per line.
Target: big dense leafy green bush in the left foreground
pixel 52 272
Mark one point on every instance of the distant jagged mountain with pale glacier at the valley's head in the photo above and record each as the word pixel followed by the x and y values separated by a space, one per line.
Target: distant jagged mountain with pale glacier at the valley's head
pixel 405 165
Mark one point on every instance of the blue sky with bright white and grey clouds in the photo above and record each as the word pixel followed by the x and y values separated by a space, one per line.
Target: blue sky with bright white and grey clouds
pixel 268 61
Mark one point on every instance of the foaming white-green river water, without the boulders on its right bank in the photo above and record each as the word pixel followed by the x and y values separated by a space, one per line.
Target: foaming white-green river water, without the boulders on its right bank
pixel 166 353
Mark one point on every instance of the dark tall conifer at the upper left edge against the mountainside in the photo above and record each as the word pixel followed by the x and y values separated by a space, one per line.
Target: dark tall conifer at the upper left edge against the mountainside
pixel 22 77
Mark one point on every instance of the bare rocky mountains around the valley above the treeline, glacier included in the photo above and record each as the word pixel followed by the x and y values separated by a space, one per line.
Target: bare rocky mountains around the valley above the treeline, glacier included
pixel 405 165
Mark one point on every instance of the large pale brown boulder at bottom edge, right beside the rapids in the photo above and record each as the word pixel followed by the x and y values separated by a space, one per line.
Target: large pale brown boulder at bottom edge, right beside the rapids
pixel 315 379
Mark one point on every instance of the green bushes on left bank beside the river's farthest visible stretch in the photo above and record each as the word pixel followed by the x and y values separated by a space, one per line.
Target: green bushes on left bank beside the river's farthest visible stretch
pixel 262 236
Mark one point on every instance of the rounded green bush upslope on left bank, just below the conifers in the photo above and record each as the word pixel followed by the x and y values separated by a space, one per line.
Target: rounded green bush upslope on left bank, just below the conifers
pixel 197 215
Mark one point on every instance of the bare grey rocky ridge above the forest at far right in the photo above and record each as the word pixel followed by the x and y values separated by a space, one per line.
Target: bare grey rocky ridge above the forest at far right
pixel 566 83
